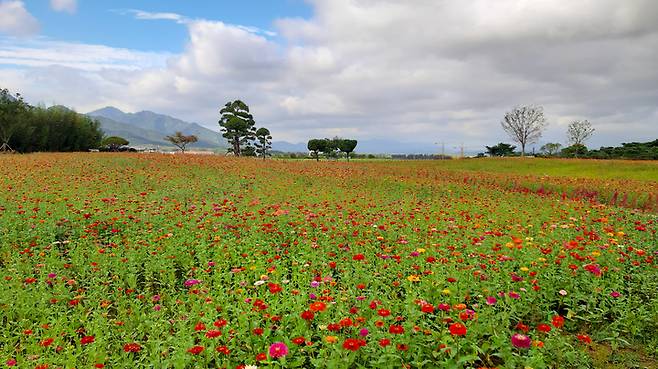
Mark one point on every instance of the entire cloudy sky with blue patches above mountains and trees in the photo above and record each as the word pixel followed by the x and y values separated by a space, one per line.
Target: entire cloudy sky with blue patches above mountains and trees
pixel 421 71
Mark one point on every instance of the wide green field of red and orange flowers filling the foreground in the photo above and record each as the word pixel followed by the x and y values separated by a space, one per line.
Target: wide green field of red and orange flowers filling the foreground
pixel 183 261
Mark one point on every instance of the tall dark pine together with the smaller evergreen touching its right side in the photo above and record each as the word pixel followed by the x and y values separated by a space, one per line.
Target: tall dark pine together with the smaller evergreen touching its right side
pixel 239 128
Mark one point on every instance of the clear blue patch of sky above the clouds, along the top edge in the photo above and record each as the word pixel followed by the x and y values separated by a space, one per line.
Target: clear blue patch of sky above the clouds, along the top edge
pixel 110 22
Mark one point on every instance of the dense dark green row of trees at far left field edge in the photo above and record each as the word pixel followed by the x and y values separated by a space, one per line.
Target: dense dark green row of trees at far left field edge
pixel 25 128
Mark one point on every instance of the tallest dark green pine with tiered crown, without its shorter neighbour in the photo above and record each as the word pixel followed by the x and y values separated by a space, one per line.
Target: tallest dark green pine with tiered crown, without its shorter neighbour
pixel 237 125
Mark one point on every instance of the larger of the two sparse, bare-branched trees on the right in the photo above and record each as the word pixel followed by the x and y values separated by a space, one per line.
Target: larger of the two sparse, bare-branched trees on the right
pixel 524 124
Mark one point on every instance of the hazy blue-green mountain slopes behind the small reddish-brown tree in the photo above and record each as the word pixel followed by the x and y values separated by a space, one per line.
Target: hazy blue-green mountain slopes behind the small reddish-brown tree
pixel 147 128
